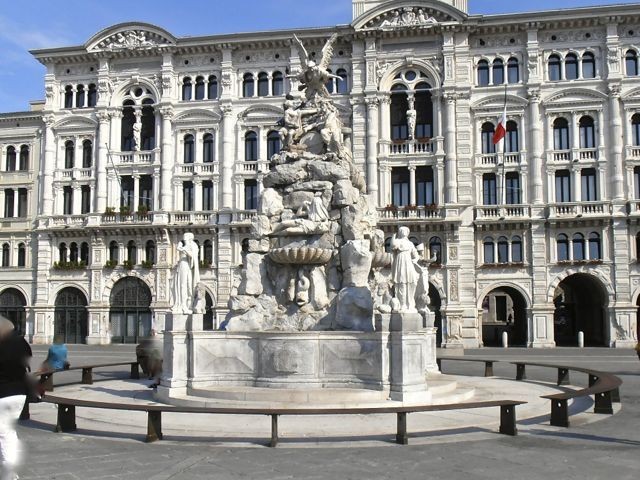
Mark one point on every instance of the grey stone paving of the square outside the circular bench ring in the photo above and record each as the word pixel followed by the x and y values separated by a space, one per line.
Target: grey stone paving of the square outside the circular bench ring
pixel 606 449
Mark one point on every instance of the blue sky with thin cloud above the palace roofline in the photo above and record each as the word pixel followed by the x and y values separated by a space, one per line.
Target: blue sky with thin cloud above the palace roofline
pixel 33 24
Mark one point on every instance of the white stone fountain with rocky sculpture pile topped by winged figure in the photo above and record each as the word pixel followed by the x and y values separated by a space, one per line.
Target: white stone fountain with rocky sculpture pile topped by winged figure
pixel 314 309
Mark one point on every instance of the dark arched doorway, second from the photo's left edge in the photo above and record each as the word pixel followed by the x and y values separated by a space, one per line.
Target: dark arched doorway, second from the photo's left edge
pixel 70 317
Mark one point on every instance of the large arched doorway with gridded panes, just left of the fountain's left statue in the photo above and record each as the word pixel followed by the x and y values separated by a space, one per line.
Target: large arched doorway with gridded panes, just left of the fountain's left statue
pixel 130 313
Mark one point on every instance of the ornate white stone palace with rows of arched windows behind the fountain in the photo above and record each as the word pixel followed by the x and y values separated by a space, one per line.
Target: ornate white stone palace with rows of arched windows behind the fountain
pixel 143 136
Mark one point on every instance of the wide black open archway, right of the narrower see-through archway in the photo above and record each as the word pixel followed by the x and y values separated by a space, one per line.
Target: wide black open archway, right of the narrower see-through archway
pixel 580 304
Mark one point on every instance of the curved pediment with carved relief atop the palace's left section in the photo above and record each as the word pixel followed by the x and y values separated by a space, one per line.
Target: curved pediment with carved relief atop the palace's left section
pixel 130 36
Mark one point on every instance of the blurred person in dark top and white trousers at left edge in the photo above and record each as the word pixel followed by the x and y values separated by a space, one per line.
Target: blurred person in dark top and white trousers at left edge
pixel 15 354
